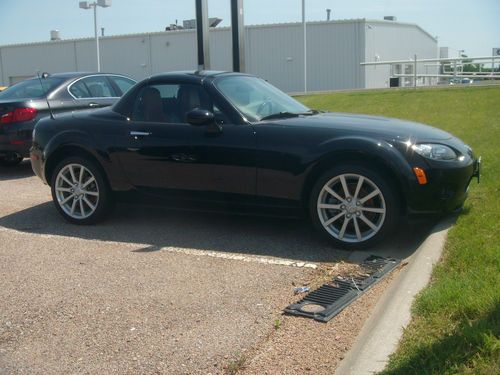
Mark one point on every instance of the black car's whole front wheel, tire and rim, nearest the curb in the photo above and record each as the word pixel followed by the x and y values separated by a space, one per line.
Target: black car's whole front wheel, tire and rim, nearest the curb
pixel 358 218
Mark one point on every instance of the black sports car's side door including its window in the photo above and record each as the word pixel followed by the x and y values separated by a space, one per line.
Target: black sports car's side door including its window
pixel 162 154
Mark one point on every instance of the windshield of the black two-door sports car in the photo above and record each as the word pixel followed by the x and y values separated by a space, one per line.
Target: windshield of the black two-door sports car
pixel 257 100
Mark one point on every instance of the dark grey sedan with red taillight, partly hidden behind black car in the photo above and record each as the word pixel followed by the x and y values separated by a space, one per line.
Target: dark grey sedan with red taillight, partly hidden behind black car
pixel 24 103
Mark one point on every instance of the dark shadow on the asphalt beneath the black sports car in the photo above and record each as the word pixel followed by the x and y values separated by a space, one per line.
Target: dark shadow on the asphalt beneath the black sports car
pixel 153 229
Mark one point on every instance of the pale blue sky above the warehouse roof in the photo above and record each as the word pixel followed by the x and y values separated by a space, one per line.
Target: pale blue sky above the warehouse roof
pixel 473 26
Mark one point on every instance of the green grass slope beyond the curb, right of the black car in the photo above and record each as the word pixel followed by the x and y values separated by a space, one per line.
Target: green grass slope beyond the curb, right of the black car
pixel 456 320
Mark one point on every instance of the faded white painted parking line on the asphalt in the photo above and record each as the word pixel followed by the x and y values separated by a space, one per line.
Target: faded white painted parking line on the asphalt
pixel 178 250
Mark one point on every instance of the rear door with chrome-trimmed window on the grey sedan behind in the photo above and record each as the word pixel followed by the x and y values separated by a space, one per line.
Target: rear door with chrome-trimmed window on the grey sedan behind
pixel 92 92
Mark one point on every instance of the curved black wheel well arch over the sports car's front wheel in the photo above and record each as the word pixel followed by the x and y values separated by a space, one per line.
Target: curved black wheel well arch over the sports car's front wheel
pixel 373 162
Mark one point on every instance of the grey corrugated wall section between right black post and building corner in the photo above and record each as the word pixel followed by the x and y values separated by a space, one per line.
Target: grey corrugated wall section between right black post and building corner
pixel 334 51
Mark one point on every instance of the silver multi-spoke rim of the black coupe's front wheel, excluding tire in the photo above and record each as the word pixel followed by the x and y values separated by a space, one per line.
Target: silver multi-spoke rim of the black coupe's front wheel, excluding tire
pixel 351 208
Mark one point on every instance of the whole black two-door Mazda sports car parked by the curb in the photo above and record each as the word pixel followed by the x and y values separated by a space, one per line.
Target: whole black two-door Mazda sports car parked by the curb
pixel 209 140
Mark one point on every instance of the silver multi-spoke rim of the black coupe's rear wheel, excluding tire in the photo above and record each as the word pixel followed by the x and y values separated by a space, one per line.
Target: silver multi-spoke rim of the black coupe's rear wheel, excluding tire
pixel 77 191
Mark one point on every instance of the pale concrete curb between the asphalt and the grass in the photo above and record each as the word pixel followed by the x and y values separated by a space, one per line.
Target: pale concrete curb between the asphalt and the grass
pixel 381 333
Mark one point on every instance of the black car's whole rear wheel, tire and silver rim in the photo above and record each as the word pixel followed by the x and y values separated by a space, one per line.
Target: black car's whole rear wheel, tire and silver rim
pixel 80 191
